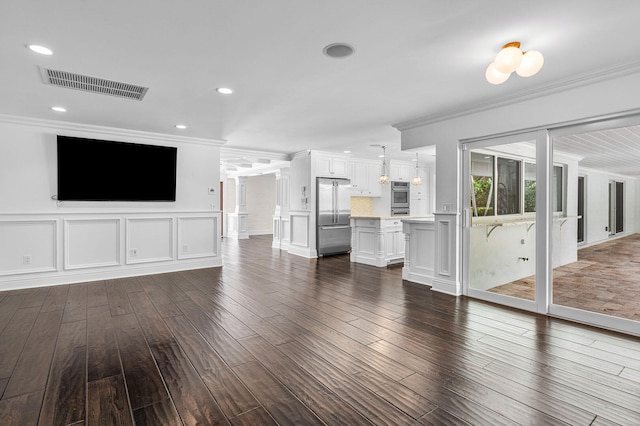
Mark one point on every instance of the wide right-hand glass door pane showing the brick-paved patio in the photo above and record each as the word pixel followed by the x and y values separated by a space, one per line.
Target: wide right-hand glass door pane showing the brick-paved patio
pixel 598 281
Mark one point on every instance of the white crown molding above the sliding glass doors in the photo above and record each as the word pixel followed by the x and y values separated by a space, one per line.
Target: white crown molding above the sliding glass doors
pixel 580 80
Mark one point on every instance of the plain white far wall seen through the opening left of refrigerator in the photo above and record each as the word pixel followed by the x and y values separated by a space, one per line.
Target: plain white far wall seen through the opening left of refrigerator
pixel 261 203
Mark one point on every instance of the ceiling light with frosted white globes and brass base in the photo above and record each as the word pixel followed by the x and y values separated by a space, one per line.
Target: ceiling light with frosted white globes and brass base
pixel 510 59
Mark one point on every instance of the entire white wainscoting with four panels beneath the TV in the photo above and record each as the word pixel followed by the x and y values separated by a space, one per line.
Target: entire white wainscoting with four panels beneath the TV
pixel 95 247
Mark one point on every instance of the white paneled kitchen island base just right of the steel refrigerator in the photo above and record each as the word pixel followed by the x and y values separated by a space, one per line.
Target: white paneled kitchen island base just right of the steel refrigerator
pixel 377 241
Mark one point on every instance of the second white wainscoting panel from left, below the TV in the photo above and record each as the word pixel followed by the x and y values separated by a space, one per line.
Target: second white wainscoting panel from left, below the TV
pixel 91 243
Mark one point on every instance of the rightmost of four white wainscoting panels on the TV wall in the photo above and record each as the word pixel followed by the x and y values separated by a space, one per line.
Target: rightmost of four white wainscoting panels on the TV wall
pixel 197 237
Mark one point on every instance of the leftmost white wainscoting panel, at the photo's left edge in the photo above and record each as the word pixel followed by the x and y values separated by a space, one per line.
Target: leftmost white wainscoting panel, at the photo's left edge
pixel 28 246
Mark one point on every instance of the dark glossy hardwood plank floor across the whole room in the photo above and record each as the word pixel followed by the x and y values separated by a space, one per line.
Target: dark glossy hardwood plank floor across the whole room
pixel 272 338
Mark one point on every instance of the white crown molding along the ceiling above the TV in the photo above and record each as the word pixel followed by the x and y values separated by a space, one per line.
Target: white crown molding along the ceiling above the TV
pixel 57 126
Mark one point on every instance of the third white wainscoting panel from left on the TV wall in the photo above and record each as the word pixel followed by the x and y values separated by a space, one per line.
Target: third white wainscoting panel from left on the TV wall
pixel 149 240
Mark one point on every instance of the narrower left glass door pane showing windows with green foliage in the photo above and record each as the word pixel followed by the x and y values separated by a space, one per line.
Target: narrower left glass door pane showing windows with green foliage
pixel 501 226
